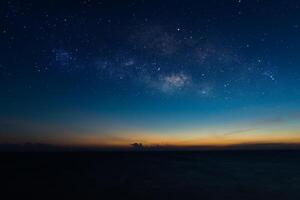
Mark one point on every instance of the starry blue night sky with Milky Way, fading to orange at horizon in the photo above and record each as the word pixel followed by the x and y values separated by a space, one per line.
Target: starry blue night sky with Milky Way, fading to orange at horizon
pixel 183 73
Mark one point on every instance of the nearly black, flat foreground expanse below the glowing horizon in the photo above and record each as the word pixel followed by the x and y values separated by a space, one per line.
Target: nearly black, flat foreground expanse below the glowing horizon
pixel 152 175
